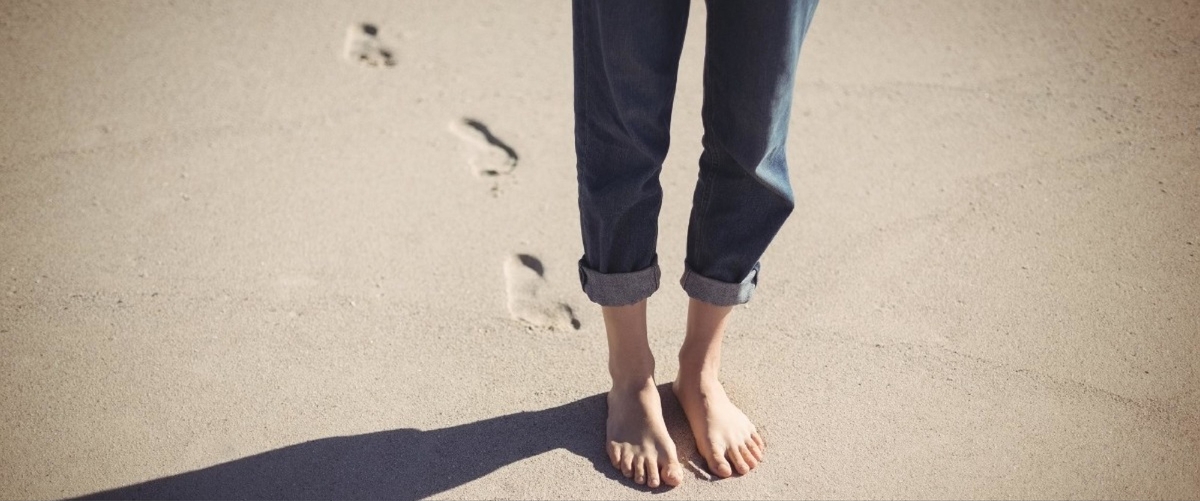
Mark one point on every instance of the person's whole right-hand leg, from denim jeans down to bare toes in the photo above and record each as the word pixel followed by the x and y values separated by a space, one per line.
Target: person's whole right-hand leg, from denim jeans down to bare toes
pixel 742 200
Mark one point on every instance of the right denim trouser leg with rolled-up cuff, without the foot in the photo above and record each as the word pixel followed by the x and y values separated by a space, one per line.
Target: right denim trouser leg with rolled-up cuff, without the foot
pixel 743 195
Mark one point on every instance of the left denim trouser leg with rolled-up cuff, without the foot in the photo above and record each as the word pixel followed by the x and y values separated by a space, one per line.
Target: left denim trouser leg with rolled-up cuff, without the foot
pixel 627 57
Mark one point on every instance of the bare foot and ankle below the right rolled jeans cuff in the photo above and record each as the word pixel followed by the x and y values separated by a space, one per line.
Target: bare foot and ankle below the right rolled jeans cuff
pixel 724 434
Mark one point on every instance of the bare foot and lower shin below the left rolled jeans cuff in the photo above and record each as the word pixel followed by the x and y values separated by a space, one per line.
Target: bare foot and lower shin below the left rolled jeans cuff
pixel 638 440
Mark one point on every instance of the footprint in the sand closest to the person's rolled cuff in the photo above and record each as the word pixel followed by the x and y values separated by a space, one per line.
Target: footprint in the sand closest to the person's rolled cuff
pixel 525 276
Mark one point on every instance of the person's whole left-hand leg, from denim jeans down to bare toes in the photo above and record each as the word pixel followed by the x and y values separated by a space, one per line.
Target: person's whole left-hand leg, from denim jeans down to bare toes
pixel 627 56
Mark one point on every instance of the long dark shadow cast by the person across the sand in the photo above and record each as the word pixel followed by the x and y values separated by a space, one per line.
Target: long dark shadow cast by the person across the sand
pixel 405 464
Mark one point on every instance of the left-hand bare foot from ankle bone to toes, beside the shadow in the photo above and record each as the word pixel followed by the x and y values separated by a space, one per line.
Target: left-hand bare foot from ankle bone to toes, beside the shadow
pixel 639 444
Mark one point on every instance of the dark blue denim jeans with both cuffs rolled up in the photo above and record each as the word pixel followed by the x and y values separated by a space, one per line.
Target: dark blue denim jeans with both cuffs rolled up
pixel 627 58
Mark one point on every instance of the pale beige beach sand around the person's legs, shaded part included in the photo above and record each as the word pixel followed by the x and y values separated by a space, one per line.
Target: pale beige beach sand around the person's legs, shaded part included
pixel 249 251
